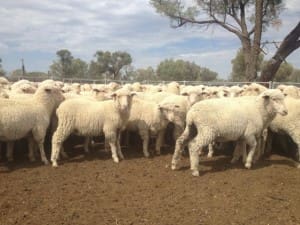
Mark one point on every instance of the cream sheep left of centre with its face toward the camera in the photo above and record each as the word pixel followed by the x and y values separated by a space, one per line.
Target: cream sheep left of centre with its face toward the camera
pixel 91 118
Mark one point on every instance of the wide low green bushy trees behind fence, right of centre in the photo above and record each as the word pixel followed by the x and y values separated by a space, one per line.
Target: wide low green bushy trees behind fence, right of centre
pixel 170 69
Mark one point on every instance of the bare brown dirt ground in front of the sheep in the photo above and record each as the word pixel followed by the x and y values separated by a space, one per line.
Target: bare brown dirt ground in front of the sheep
pixel 92 189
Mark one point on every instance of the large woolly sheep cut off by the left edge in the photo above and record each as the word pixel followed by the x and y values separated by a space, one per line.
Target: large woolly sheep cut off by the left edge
pixel 29 117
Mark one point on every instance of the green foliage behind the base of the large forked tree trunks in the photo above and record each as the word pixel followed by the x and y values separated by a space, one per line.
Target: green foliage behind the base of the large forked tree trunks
pixel 238 66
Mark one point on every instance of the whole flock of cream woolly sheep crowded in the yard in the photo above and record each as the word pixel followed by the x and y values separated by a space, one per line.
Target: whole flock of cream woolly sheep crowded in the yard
pixel 201 116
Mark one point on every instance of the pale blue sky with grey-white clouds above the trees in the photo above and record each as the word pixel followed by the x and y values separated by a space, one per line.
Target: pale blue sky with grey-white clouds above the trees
pixel 35 30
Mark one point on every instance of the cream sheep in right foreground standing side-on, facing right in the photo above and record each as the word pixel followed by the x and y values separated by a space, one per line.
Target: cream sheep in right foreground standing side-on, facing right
pixel 228 119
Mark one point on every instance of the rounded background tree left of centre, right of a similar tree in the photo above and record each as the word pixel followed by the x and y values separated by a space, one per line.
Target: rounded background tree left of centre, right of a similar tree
pixel 112 63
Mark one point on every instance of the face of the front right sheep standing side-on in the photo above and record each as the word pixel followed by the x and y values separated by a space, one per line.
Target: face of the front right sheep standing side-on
pixel 274 101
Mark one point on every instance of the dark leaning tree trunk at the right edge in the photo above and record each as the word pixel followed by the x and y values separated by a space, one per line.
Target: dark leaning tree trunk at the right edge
pixel 290 43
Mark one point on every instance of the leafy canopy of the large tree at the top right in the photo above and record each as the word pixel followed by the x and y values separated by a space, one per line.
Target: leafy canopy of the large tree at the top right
pixel 181 13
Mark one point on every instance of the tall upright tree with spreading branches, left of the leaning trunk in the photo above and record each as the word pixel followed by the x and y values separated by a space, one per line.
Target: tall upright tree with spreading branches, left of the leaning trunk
pixel 236 17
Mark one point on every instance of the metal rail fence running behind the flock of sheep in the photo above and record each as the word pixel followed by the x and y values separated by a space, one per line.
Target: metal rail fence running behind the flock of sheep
pixel 269 84
